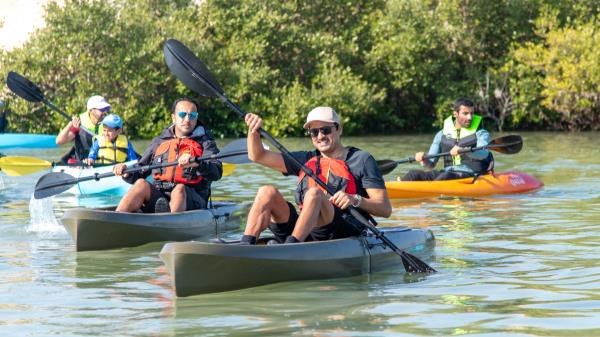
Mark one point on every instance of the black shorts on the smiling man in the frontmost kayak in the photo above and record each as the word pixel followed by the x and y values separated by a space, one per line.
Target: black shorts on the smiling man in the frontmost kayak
pixel 337 229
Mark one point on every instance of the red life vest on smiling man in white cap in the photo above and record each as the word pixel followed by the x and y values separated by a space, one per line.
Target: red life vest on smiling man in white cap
pixel 333 172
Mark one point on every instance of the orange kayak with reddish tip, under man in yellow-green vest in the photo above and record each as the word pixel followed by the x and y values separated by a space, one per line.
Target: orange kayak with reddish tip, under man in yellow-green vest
pixel 496 183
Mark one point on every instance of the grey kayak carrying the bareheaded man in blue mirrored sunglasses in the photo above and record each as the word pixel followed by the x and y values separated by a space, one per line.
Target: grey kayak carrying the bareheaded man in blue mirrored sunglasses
pixel 97 229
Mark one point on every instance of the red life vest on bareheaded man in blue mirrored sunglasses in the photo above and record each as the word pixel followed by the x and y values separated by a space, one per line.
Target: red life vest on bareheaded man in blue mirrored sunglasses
pixel 170 151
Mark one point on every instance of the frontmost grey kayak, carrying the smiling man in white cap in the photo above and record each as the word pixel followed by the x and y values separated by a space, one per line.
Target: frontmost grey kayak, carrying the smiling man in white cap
pixel 206 267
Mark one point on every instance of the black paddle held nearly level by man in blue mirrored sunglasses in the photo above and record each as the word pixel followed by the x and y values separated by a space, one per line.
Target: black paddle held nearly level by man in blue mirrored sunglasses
pixel 54 183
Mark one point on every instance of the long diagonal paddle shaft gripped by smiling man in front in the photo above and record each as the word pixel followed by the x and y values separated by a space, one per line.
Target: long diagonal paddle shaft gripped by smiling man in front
pixel 353 211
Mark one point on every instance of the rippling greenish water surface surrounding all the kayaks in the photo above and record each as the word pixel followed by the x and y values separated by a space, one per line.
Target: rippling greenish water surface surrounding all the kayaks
pixel 519 265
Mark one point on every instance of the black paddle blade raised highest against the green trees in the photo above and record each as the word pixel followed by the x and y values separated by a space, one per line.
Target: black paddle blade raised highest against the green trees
pixel 189 69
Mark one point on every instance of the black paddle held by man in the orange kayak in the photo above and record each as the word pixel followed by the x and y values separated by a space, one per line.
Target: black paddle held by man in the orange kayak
pixel 509 144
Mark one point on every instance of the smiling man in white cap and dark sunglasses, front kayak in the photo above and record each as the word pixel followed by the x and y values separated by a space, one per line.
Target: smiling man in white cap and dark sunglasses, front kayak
pixel 351 172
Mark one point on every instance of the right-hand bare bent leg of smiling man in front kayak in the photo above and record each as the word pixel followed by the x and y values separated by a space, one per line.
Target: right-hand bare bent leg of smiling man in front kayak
pixel 317 211
